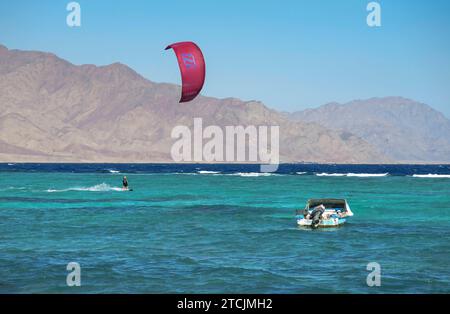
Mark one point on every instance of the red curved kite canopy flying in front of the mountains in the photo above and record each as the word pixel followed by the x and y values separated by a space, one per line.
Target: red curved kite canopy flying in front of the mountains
pixel 192 67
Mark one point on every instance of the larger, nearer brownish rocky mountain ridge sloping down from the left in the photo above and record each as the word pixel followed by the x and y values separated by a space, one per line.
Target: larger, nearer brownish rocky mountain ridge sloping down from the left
pixel 52 110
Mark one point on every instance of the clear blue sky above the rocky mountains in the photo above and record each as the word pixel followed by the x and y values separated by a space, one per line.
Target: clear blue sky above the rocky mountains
pixel 288 54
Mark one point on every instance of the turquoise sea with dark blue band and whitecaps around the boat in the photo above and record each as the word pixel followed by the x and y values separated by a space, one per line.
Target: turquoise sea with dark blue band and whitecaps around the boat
pixel 221 229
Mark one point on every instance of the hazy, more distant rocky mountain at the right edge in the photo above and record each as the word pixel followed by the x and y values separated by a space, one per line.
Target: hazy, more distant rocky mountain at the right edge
pixel 402 129
